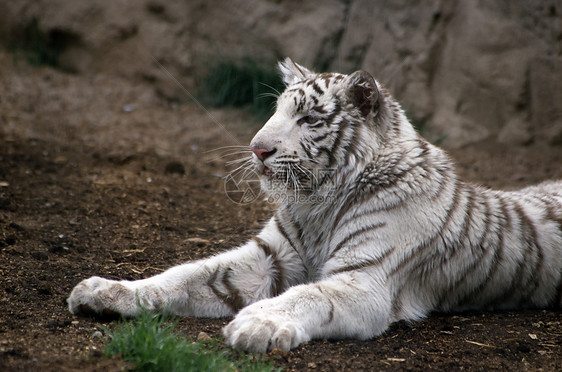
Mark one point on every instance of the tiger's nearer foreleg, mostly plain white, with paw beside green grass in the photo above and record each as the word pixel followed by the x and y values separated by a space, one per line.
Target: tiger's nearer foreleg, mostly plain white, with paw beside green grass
pixel 346 305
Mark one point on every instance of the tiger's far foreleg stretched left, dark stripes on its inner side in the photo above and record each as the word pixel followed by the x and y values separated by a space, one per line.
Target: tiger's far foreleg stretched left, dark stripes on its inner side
pixel 215 287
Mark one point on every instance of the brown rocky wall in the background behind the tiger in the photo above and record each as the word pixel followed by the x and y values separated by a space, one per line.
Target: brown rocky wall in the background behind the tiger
pixel 465 70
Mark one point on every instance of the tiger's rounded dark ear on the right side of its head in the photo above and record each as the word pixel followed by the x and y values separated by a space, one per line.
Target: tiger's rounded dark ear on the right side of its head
pixel 363 92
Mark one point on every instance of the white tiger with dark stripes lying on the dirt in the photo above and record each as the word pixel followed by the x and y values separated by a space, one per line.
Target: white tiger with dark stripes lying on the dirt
pixel 382 230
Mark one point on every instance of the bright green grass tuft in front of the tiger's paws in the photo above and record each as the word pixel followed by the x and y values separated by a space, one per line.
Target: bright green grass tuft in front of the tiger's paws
pixel 149 342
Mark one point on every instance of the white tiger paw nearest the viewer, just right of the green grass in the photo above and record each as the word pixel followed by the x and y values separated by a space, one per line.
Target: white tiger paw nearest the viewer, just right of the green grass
pixel 259 332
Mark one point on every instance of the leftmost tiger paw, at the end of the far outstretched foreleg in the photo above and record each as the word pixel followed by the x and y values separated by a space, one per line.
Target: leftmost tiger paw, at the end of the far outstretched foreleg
pixel 100 296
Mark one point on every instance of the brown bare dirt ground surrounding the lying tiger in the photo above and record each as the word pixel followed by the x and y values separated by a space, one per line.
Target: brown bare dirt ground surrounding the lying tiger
pixel 100 176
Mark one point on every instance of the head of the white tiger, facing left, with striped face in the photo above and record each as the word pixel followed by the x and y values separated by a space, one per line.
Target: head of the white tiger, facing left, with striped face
pixel 326 128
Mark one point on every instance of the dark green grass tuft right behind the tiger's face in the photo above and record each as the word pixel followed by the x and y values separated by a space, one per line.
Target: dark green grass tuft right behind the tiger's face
pixel 240 83
